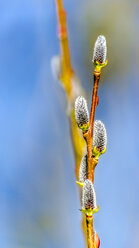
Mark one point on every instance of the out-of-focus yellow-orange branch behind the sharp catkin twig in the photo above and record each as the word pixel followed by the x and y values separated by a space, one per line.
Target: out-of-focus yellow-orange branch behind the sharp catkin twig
pixel 66 78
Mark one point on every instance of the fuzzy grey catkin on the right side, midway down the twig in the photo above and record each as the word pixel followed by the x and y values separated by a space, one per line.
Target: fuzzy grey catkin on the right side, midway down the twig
pixel 99 135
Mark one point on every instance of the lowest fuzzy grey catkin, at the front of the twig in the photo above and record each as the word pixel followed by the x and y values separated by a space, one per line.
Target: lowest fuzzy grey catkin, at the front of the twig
pixel 88 195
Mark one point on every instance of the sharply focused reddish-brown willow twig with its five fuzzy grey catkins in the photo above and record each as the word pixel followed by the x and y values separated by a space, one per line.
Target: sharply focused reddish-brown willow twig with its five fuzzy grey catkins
pixel 96 141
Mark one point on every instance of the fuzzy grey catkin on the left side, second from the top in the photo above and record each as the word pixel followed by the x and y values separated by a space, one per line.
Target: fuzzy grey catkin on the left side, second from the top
pixel 81 111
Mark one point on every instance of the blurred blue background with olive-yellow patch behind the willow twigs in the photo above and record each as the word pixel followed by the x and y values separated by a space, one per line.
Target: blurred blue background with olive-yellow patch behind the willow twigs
pixel 39 201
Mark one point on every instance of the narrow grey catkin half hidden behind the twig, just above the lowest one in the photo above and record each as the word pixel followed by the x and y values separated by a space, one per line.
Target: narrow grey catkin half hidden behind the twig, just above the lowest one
pixel 83 169
